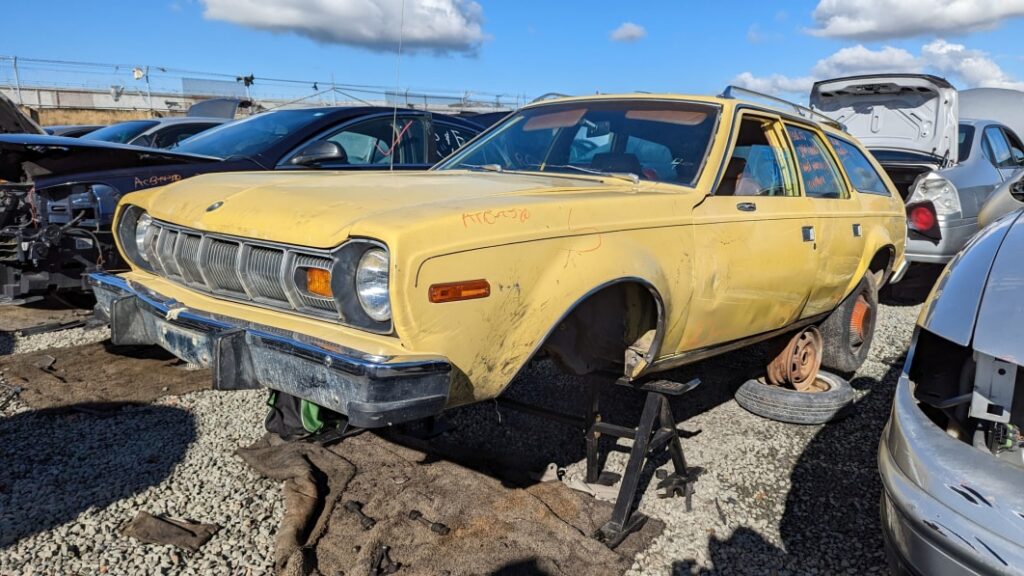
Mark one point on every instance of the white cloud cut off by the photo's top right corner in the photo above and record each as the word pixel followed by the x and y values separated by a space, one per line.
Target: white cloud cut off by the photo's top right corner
pixel 879 20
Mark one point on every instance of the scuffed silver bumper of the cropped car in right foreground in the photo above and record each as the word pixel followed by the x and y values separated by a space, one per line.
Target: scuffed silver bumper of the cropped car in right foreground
pixel 930 527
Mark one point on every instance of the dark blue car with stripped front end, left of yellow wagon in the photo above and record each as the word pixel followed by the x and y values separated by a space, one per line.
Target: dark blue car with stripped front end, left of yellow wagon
pixel 58 202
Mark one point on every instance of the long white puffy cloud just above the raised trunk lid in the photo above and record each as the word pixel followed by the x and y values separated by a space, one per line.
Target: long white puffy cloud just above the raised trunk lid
pixel 956 62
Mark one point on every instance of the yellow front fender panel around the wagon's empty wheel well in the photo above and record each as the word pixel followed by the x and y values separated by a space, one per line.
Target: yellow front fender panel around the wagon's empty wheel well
pixel 534 286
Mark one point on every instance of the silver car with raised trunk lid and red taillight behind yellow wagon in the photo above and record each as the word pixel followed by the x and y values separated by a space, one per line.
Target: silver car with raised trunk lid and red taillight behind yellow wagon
pixel 912 125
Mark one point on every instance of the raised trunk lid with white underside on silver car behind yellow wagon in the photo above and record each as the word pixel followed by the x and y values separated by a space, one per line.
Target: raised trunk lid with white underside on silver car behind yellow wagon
pixel 907 112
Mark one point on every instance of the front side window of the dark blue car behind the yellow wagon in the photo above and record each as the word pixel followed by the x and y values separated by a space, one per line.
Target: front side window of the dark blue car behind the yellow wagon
pixel 376 142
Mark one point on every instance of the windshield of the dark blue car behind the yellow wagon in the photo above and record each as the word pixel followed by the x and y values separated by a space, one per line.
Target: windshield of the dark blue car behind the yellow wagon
pixel 249 137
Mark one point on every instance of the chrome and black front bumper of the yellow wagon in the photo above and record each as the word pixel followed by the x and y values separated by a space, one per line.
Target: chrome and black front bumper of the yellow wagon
pixel 371 391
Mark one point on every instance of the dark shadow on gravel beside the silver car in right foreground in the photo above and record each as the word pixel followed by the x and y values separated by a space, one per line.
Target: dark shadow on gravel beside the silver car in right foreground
pixel 831 523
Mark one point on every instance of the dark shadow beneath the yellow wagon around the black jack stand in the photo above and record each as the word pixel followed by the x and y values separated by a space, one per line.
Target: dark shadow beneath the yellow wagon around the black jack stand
pixel 511 445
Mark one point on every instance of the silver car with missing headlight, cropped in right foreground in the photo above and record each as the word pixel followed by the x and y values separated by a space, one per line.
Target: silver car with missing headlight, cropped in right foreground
pixel 951 458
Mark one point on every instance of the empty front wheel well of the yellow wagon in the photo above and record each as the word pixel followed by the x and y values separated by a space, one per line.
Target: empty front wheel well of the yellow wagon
pixel 604 328
